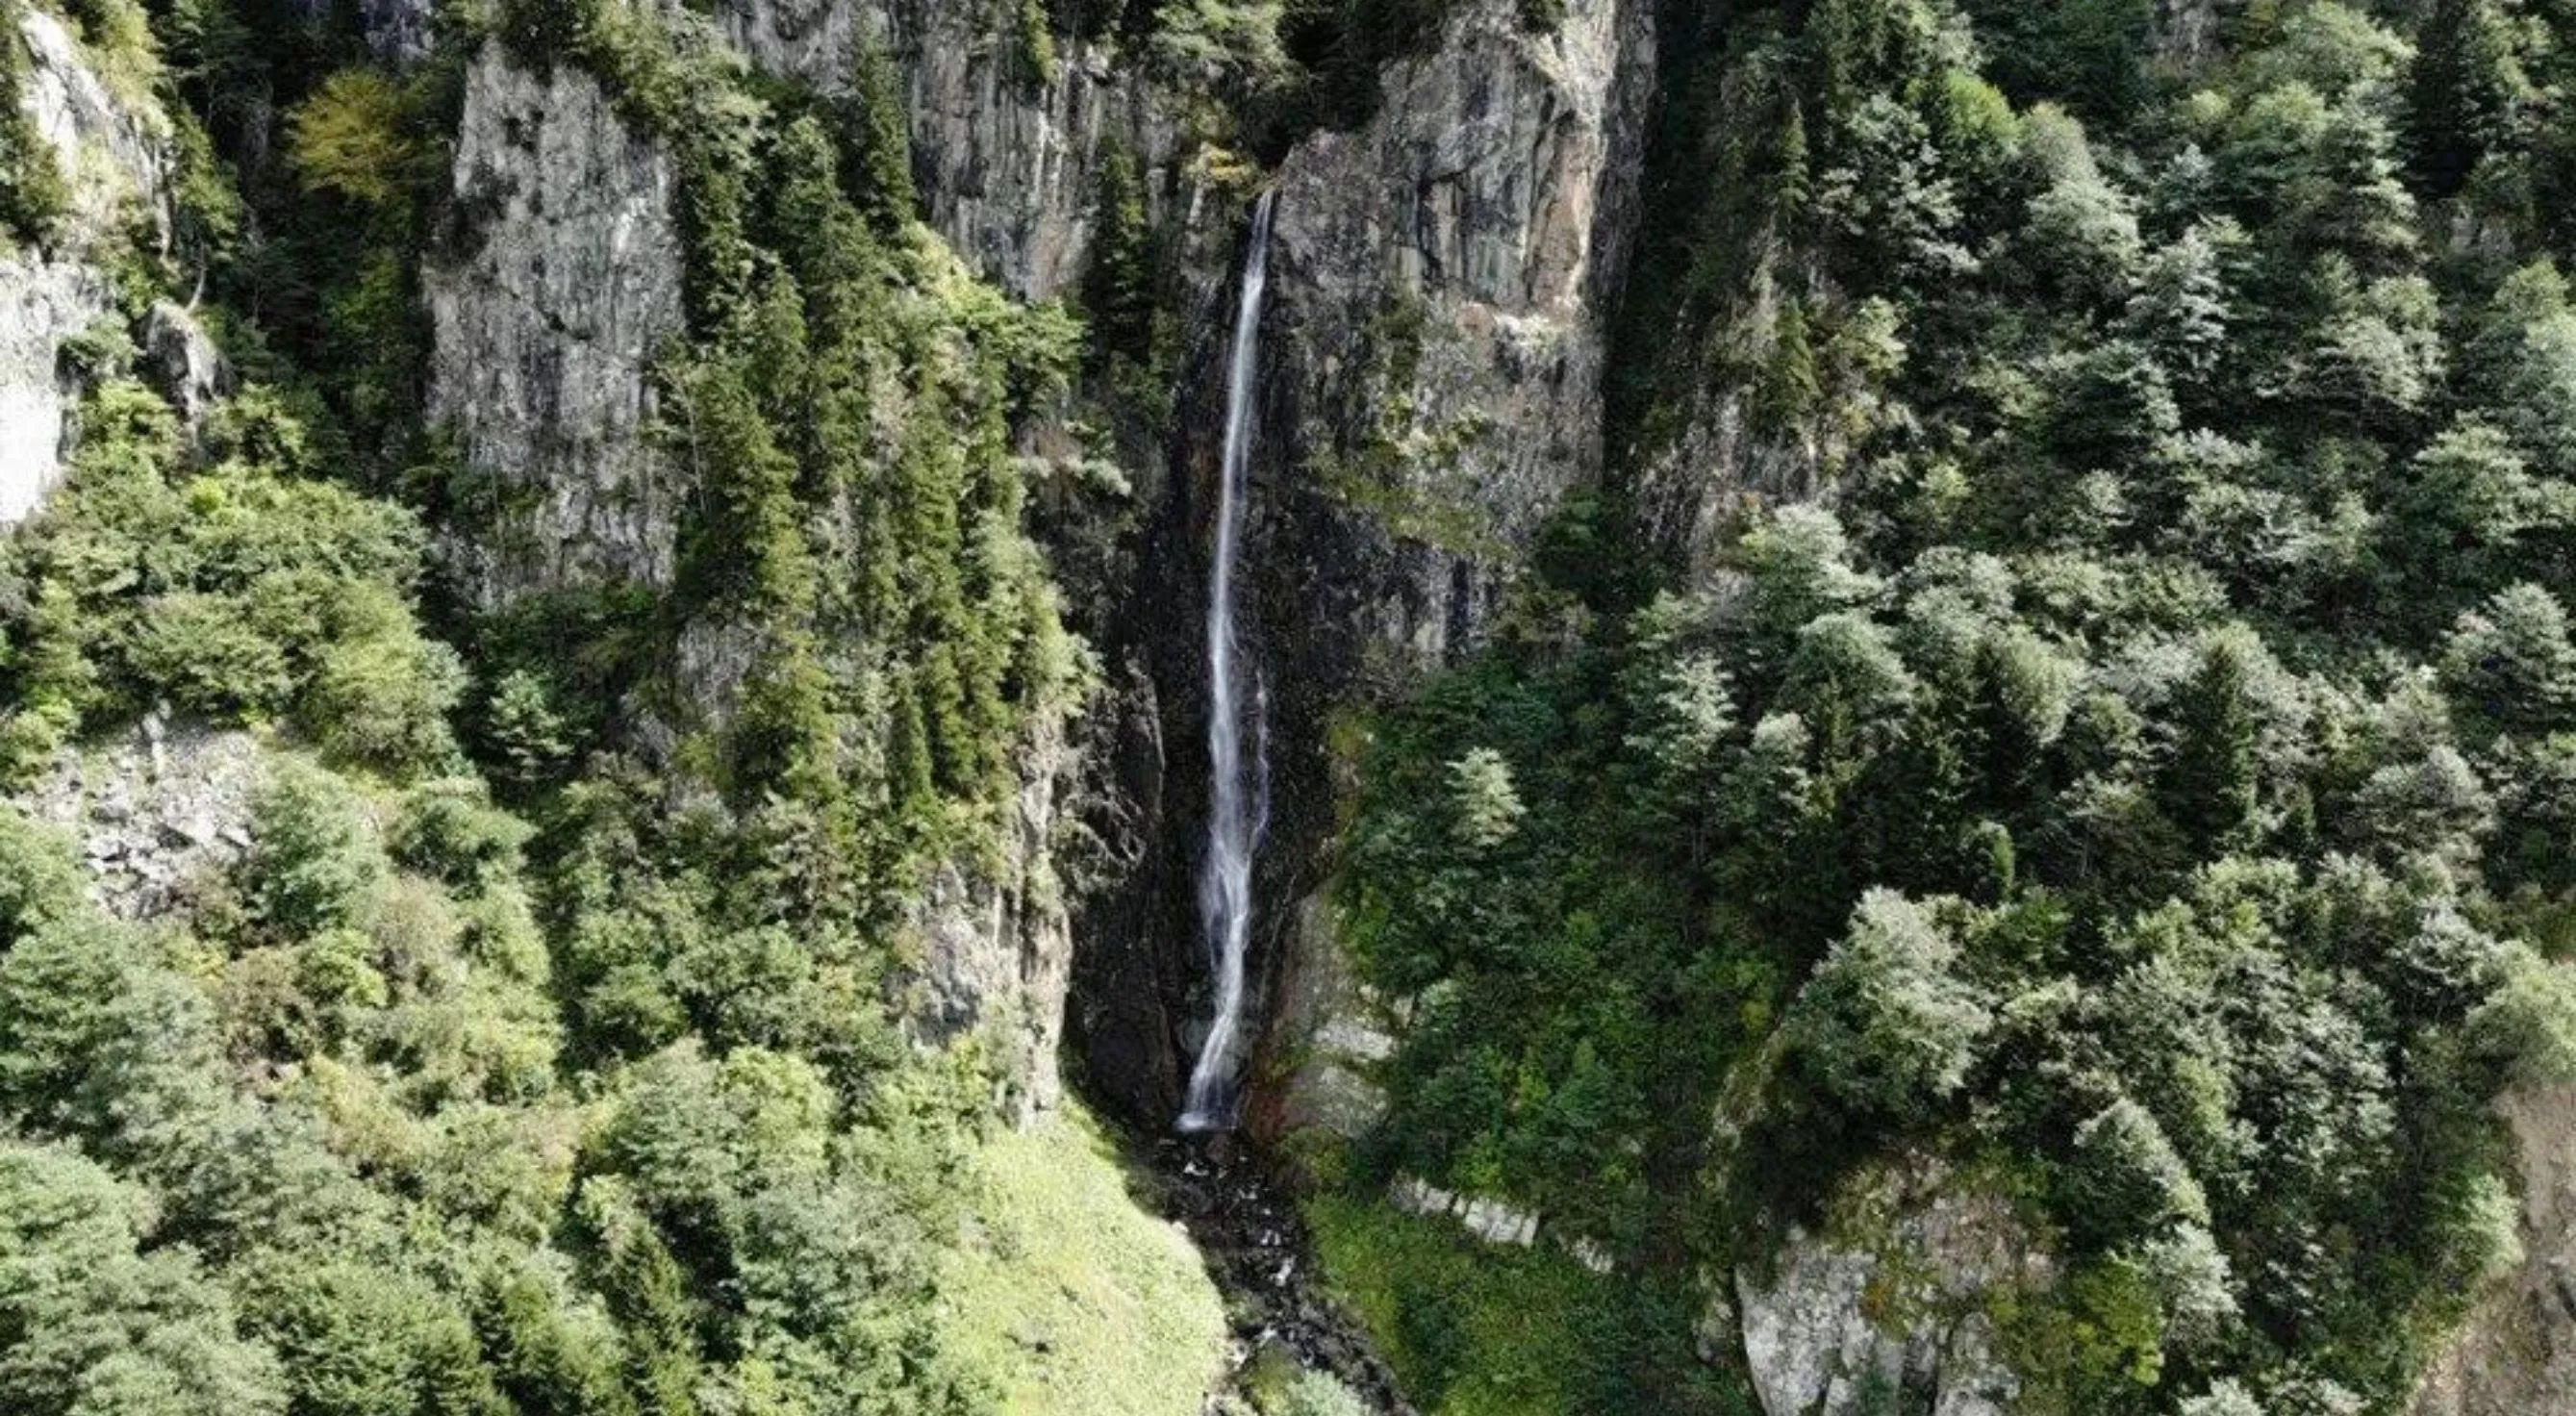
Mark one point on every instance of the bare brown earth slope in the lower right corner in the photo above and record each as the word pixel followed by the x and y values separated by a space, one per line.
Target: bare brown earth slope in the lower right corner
pixel 2518 1350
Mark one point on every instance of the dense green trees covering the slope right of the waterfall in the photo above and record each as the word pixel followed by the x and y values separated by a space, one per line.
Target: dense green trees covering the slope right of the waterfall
pixel 2145 769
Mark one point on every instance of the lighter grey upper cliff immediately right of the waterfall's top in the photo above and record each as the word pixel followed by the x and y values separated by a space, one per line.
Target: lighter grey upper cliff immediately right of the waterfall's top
pixel 1441 290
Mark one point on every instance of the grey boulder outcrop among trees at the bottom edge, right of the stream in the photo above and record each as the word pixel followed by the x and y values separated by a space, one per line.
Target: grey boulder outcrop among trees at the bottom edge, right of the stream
pixel 1895 1299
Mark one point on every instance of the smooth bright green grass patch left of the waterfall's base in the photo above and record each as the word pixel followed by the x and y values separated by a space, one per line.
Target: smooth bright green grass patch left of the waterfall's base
pixel 1075 1299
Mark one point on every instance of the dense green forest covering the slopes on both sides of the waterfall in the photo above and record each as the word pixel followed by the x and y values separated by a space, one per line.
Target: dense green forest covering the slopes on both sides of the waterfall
pixel 2114 745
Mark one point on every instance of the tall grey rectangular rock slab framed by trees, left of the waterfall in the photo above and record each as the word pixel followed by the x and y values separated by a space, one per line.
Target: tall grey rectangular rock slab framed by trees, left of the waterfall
pixel 545 336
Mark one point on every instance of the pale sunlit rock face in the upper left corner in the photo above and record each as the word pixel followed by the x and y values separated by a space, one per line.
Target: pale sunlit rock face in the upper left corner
pixel 117 163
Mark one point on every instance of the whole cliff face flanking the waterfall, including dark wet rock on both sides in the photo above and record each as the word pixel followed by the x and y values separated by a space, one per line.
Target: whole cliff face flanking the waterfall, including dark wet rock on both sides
pixel 1431 364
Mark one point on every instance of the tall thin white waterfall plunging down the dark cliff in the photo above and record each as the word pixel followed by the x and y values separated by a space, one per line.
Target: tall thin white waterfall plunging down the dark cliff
pixel 1235 825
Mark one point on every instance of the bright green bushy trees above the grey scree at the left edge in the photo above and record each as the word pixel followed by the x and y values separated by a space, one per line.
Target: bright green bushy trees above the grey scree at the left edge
pixel 228 583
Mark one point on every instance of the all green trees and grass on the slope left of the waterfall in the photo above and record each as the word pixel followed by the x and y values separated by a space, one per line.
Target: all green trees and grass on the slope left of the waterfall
pixel 555 1041
